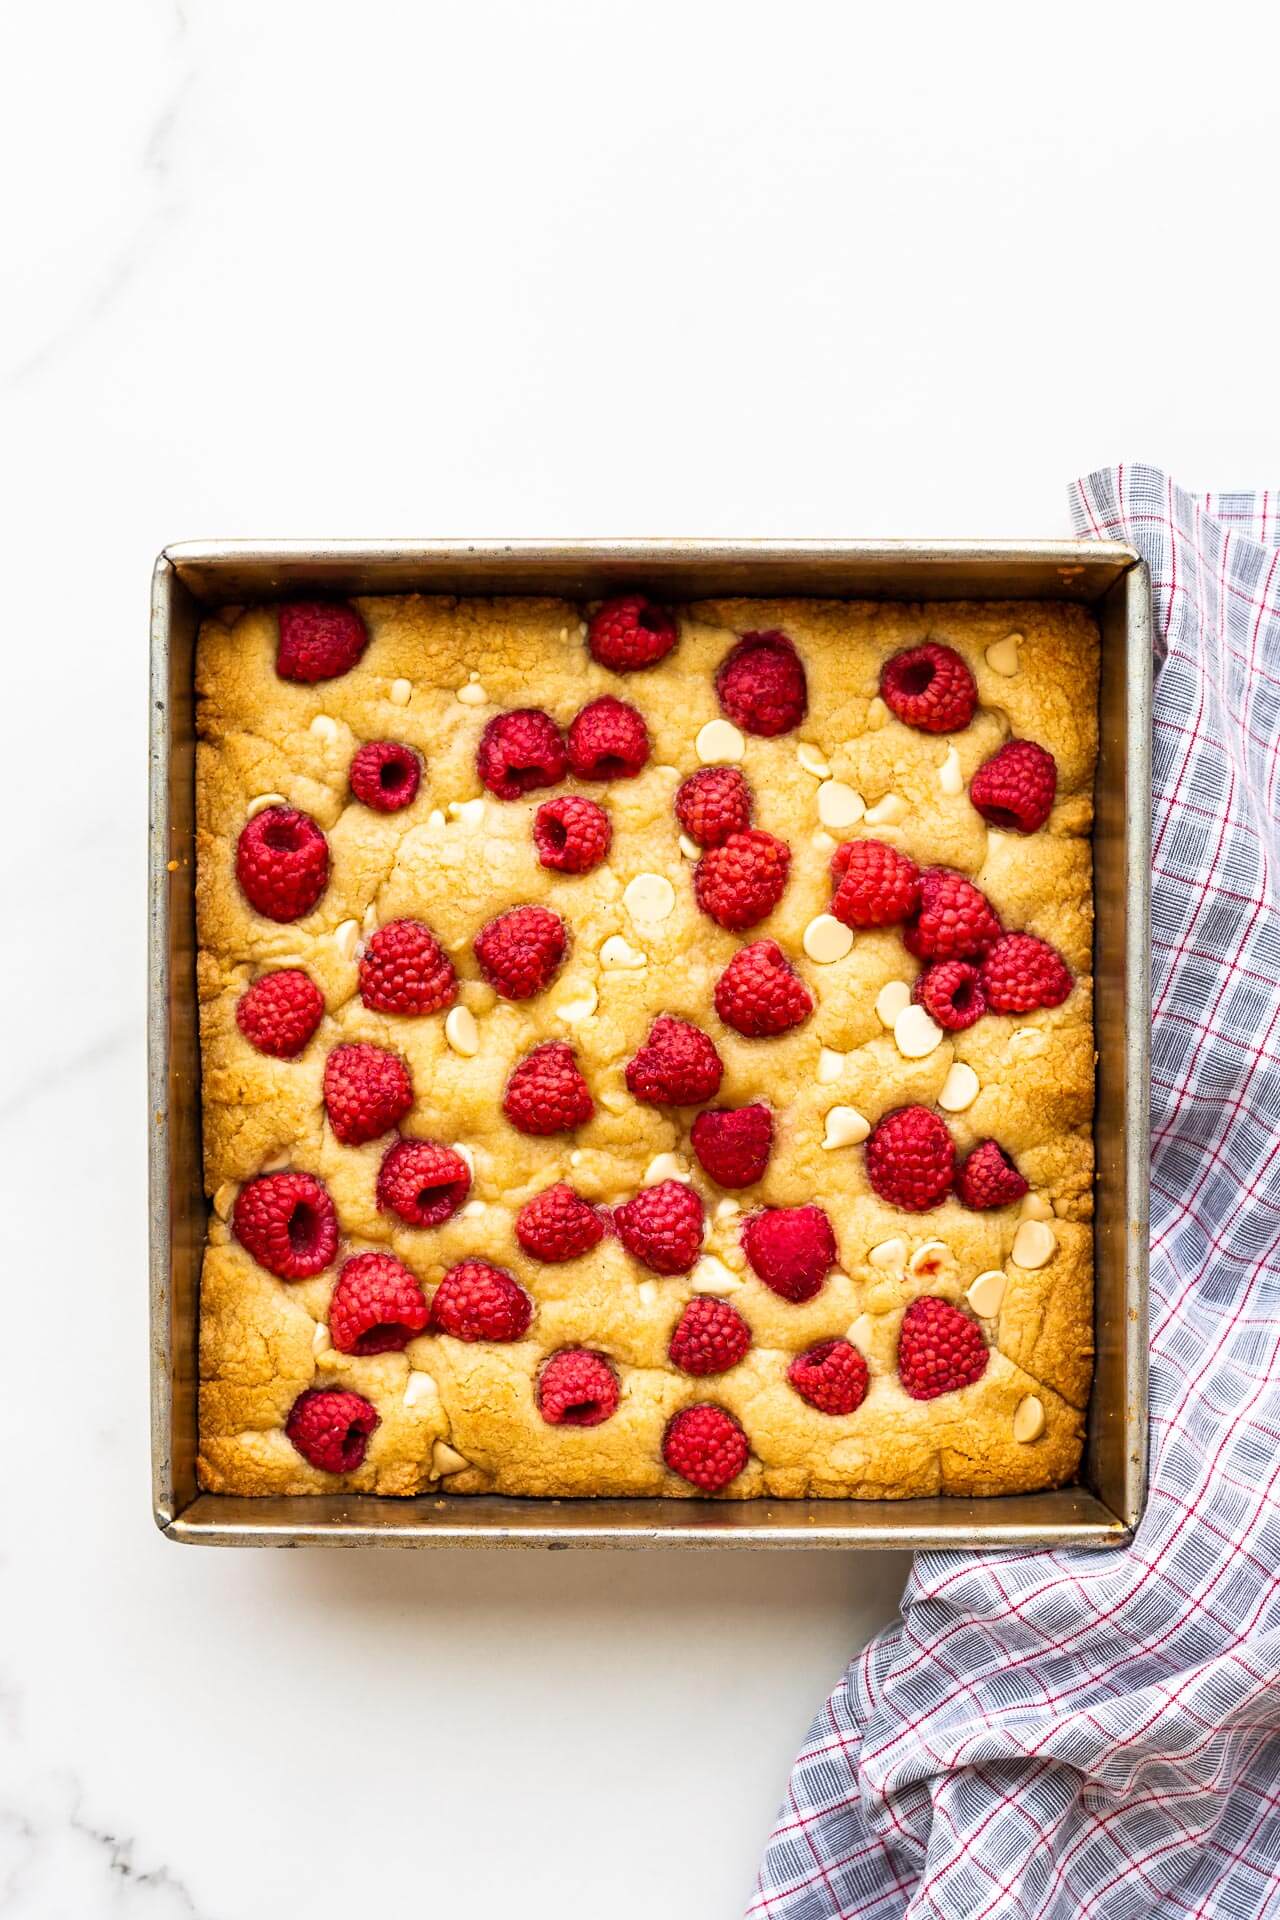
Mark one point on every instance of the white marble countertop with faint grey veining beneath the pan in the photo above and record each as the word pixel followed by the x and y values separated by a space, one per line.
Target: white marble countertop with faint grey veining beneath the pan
pixel 408 270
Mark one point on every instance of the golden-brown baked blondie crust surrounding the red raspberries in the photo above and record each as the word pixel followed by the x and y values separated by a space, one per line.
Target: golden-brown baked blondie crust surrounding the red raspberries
pixel 463 1416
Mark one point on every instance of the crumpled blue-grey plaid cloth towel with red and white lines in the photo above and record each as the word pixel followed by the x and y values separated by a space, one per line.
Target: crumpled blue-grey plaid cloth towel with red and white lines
pixel 1060 1735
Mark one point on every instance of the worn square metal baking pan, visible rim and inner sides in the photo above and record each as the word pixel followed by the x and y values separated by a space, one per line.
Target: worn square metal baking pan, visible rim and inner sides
pixel 1106 1504
